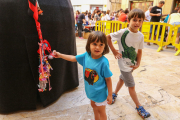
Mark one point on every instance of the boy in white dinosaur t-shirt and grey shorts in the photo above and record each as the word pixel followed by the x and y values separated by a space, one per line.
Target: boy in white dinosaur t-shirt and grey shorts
pixel 130 42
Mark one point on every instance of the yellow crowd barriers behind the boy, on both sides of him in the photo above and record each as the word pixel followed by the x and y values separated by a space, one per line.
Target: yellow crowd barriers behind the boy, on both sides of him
pixel 112 26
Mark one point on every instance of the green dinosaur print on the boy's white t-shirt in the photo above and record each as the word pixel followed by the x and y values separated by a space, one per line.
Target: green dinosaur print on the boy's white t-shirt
pixel 129 54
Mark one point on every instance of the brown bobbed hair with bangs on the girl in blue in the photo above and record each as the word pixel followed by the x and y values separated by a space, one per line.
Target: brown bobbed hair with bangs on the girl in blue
pixel 99 36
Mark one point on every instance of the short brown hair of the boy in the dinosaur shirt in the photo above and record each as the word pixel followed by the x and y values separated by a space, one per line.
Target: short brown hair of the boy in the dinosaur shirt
pixel 136 13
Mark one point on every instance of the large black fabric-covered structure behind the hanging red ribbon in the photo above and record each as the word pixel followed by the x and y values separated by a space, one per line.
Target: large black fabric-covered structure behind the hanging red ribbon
pixel 19 58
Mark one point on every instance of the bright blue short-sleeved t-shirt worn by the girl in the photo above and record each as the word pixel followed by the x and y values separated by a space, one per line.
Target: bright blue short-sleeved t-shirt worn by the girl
pixel 95 71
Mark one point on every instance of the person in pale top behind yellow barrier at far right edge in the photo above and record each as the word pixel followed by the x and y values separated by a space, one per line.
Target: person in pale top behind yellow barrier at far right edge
pixel 174 19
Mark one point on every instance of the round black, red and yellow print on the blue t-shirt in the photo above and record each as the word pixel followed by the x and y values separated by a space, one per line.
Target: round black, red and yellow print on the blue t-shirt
pixel 91 76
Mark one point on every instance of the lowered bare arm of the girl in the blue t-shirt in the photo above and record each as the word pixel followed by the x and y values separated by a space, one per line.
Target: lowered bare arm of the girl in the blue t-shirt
pixel 109 86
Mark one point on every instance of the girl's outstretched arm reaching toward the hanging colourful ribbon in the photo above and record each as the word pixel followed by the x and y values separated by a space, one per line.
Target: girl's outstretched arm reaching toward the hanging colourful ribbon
pixel 71 58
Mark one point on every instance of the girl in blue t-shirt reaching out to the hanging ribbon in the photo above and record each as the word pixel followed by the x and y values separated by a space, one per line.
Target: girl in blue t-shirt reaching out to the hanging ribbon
pixel 97 75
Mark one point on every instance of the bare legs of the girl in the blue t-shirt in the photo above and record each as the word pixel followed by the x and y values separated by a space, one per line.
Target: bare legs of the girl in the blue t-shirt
pixel 99 111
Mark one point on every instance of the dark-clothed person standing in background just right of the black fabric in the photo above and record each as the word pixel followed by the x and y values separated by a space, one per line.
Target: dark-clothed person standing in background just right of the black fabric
pixel 80 21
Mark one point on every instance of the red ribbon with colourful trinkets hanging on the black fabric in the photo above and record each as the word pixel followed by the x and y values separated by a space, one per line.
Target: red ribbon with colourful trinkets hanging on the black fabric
pixel 44 67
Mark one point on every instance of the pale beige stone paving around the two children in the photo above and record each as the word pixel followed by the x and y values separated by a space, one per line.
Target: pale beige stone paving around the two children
pixel 157 85
